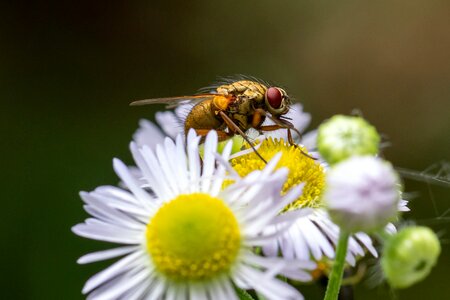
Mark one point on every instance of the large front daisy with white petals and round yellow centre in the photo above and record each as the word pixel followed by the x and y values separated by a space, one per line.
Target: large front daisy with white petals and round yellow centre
pixel 184 236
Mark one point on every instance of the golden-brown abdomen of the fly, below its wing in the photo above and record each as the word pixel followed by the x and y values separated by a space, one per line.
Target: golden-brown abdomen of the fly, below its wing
pixel 202 116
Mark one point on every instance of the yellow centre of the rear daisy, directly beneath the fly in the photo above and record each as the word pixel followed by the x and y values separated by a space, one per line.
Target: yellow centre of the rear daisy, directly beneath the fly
pixel 302 169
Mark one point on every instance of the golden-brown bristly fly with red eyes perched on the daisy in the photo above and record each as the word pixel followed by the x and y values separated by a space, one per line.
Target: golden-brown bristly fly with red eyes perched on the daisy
pixel 233 106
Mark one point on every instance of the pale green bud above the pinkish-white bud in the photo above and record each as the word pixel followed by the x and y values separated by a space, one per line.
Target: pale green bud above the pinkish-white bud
pixel 343 136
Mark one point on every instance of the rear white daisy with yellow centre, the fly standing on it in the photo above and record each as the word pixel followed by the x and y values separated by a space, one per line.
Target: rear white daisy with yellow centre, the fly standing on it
pixel 313 235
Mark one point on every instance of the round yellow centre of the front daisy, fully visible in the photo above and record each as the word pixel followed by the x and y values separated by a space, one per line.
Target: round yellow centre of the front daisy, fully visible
pixel 194 237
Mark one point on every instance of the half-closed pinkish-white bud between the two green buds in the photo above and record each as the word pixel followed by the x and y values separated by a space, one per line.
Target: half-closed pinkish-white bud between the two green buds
pixel 362 193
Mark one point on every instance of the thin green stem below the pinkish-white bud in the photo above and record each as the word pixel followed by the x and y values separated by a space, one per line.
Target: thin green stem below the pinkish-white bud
pixel 334 281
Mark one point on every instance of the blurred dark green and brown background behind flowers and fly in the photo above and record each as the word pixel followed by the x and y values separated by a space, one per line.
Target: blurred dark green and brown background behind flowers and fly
pixel 68 70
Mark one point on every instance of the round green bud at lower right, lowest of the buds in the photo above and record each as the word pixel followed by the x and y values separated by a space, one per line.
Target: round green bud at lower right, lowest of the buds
pixel 409 256
